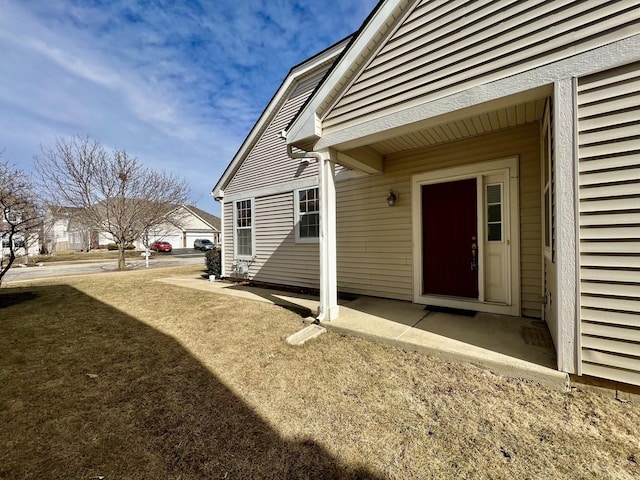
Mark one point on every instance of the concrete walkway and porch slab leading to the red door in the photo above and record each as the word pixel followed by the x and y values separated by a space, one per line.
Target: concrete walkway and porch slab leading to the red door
pixel 511 346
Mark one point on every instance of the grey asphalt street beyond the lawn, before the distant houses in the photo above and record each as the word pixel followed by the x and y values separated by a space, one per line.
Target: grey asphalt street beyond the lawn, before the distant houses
pixel 178 257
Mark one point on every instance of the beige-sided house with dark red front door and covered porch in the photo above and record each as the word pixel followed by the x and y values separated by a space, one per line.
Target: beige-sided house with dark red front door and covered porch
pixel 505 136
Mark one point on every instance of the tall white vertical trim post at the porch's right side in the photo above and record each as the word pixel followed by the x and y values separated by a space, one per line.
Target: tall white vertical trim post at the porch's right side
pixel 564 124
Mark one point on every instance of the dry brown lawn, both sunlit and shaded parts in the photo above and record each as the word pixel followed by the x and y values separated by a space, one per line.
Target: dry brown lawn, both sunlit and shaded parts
pixel 117 376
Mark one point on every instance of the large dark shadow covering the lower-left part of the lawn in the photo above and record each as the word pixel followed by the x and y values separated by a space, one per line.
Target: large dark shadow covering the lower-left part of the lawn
pixel 89 391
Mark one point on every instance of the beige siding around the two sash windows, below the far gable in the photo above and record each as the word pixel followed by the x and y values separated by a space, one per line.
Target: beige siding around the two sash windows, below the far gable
pixel 278 258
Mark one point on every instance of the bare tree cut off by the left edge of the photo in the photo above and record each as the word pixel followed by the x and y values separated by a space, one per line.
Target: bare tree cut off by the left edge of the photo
pixel 21 219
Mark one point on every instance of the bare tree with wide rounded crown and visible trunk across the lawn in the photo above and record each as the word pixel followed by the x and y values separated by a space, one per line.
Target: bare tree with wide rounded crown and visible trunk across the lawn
pixel 111 192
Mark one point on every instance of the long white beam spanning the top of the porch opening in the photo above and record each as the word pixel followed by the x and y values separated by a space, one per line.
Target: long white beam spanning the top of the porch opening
pixel 438 111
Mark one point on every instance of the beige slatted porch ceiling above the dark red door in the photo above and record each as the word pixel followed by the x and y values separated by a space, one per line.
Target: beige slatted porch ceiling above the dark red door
pixel 491 121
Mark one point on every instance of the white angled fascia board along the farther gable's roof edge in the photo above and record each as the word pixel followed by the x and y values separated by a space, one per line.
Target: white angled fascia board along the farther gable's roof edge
pixel 272 109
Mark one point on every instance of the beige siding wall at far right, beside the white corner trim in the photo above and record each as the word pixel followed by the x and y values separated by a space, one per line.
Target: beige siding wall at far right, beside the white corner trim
pixel 609 196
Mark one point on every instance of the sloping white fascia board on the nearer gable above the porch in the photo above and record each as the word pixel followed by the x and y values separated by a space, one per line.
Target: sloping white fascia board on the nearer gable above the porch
pixel 308 124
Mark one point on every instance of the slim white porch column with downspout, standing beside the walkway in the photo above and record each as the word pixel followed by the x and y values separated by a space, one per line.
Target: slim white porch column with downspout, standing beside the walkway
pixel 329 309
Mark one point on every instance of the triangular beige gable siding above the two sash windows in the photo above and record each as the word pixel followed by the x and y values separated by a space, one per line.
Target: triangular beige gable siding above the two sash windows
pixel 268 163
